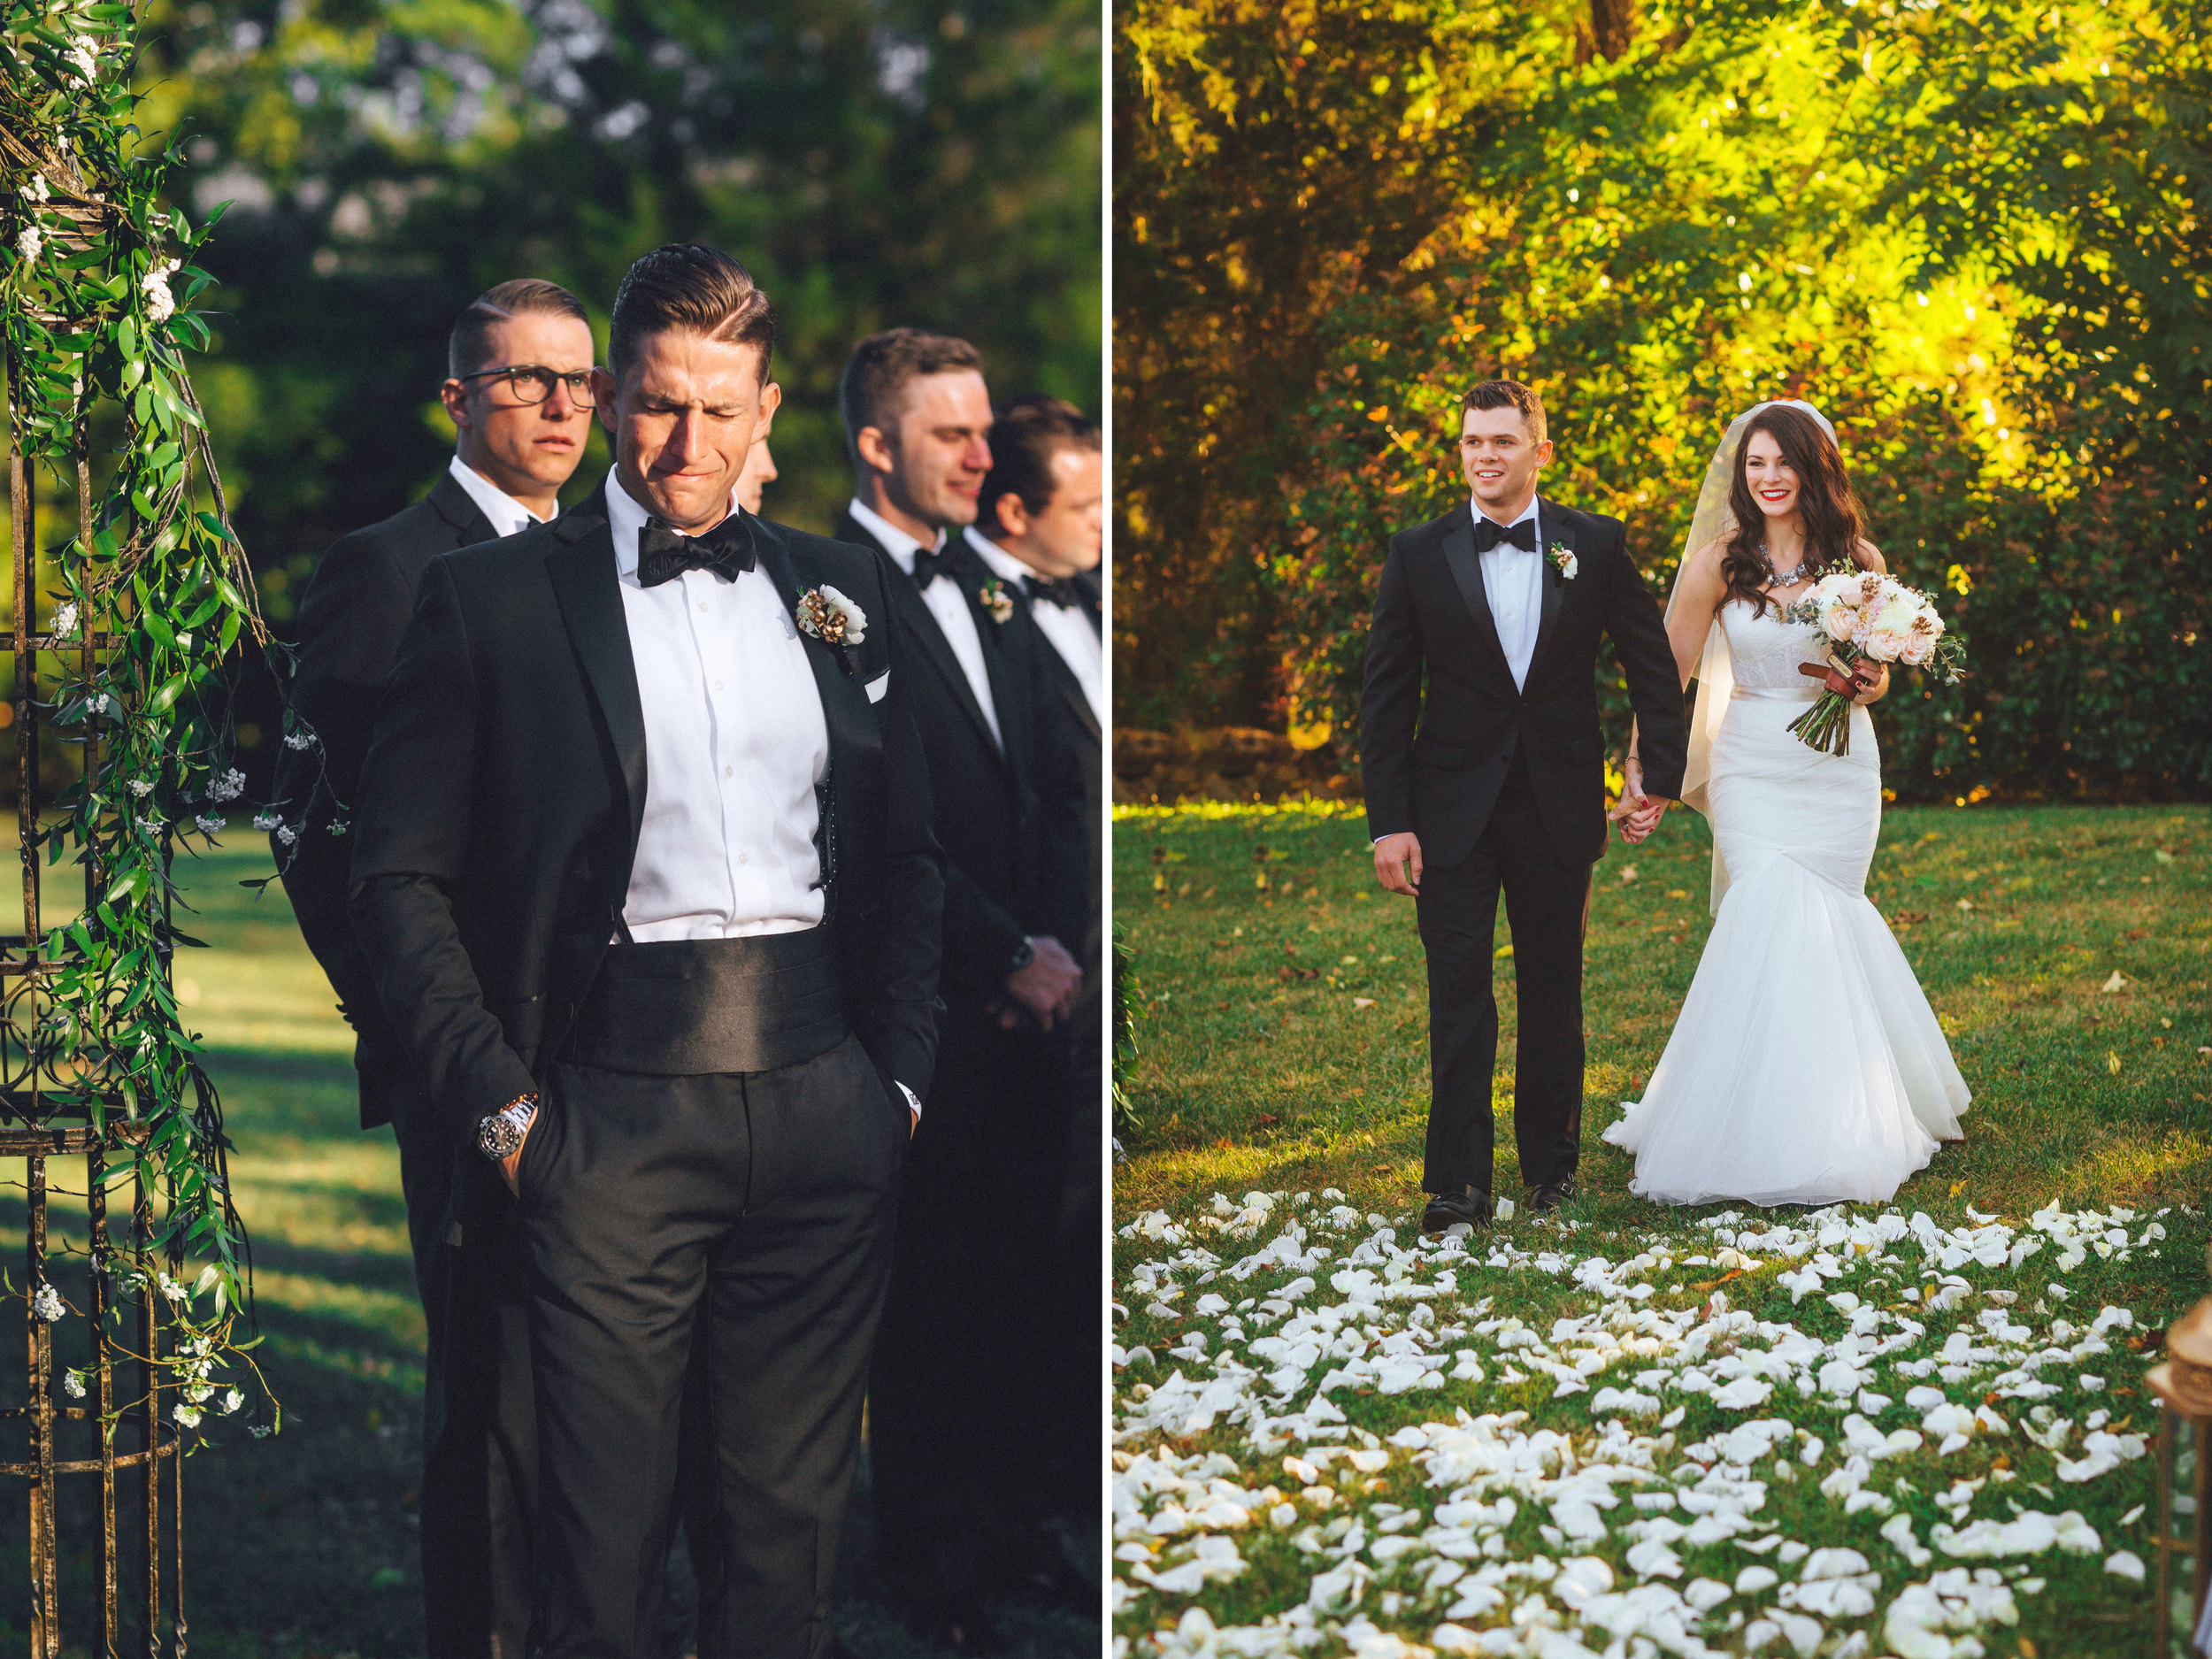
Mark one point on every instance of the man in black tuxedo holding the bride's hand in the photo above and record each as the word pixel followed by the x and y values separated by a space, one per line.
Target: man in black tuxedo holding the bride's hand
pixel 1492 780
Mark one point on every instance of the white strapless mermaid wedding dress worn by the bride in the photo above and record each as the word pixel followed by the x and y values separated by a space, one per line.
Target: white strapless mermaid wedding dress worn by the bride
pixel 1806 1065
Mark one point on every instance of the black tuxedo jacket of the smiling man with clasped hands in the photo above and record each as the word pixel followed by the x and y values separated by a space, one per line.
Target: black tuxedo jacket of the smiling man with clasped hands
pixel 1003 817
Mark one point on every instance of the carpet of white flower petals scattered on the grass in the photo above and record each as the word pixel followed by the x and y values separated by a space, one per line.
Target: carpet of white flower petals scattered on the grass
pixel 1596 1525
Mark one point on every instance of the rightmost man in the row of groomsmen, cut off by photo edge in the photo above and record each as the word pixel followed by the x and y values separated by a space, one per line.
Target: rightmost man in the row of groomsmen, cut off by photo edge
pixel 1041 528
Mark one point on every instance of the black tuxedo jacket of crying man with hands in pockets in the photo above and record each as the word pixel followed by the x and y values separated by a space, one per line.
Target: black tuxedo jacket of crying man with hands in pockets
pixel 503 795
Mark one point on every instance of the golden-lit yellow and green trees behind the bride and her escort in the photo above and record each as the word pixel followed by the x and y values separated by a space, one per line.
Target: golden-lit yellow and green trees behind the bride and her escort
pixel 1976 236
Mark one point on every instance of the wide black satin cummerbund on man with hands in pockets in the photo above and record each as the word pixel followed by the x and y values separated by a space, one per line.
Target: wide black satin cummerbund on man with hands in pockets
pixel 709 1005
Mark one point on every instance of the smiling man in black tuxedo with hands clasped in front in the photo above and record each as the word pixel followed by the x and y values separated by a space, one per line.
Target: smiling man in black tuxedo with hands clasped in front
pixel 983 1187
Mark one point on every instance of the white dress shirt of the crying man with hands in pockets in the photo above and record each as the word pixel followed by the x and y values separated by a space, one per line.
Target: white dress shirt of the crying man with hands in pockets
pixel 735 744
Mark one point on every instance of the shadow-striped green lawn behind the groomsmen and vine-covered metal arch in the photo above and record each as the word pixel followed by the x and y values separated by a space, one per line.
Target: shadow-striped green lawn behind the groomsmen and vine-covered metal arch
pixel 306 1543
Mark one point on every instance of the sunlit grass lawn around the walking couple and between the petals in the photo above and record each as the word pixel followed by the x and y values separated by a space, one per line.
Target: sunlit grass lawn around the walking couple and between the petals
pixel 1282 1047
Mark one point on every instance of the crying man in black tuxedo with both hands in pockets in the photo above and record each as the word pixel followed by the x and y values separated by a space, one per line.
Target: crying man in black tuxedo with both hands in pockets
pixel 647 884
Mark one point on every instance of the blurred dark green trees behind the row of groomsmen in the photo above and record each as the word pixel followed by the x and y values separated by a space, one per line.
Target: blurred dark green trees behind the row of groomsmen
pixel 388 160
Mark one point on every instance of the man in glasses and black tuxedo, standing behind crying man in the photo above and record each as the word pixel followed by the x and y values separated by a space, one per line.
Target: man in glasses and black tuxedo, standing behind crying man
pixel 521 401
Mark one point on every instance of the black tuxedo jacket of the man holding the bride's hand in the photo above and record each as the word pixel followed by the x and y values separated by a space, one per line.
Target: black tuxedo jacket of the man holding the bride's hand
pixel 1434 758
